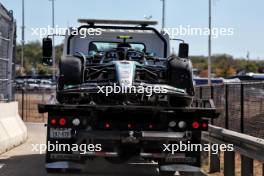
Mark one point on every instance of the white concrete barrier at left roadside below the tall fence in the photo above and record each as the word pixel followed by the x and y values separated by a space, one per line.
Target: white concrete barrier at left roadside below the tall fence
pixel 13 131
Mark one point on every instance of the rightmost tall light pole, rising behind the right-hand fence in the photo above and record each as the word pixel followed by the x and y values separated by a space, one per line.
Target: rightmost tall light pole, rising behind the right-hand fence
pixel 210 44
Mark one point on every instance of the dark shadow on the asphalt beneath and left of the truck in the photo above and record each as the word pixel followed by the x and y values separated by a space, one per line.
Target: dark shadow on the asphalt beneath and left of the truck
pixel 34 165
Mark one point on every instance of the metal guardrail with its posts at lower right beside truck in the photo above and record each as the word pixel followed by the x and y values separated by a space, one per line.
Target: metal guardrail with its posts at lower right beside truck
pixel 250 148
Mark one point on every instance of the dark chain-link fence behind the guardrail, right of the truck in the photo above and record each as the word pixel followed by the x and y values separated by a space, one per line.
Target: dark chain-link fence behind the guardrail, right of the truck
pixel 241 106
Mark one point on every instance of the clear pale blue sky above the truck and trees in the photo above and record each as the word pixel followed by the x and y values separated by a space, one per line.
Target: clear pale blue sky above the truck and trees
pixel 245 16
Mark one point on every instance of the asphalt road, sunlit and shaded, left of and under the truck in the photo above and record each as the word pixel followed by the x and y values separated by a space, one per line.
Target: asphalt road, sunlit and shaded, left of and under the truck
pixel 24 161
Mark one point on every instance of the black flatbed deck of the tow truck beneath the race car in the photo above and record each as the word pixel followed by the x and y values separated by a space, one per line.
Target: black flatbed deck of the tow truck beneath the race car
pixel 199 108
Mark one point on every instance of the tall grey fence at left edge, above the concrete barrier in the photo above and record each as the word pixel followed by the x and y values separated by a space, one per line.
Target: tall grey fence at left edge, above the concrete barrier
pixel 7 48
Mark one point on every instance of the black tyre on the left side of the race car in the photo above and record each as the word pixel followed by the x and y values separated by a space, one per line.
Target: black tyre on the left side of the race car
pixel 71 70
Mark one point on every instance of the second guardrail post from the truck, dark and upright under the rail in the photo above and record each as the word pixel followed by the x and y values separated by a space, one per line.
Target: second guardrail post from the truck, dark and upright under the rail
pixel 229 163
